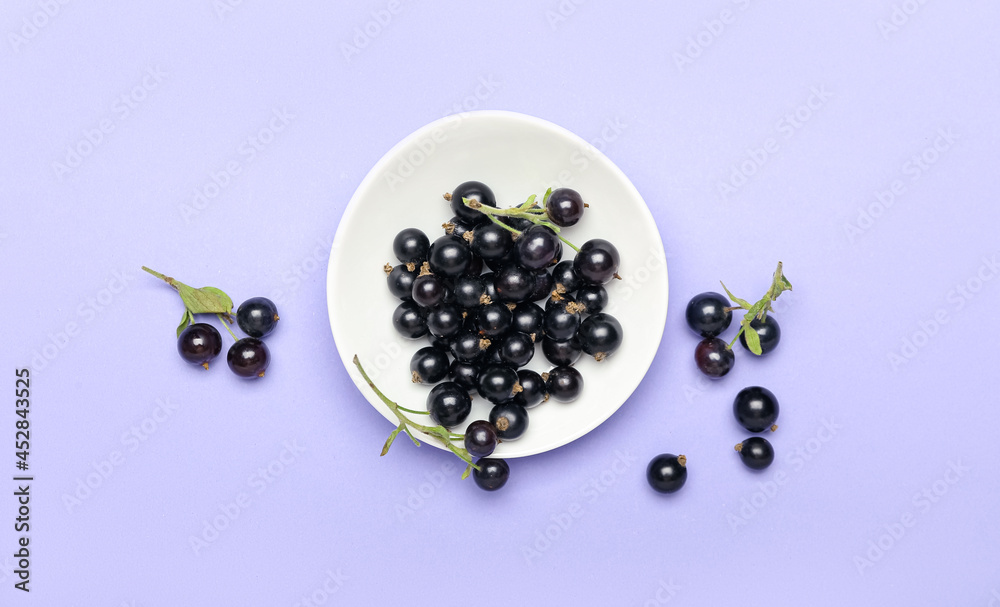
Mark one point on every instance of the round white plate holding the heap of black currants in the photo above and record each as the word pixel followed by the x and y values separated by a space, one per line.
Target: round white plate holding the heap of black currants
pixel 516 155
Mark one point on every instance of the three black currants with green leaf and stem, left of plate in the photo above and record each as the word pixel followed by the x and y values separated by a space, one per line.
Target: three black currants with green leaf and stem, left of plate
pixel 199 343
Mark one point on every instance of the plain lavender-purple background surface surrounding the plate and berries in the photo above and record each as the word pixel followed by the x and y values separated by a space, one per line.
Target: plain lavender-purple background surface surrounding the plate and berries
pixel 694 94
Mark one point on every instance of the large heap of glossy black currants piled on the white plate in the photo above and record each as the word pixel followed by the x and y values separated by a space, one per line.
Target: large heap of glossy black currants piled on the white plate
pixel 472 294
